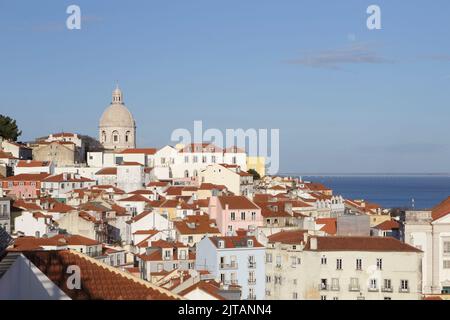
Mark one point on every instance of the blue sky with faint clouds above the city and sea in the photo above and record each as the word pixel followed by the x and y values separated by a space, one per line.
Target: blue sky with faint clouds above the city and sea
pixel 346 99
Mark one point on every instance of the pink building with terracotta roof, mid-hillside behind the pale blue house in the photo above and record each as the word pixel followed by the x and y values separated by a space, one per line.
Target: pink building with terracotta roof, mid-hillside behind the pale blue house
pixel 234 212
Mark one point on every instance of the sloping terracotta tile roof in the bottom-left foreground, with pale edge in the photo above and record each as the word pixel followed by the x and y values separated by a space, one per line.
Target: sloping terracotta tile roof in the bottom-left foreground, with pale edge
pixel 98 281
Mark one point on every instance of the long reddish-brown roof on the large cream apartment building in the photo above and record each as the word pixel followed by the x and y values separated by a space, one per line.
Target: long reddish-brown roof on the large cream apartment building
pixel 376 244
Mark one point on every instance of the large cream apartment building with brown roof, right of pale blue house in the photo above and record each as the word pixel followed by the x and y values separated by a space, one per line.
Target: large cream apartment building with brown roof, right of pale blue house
pixel 304 267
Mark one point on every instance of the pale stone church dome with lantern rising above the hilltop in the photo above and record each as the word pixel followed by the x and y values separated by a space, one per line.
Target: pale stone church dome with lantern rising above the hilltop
pixel 117 128
